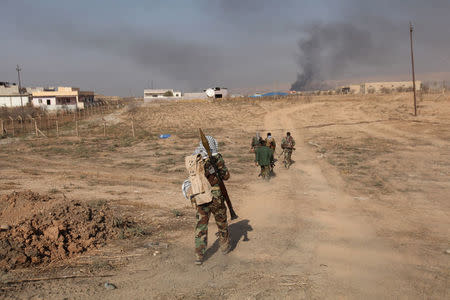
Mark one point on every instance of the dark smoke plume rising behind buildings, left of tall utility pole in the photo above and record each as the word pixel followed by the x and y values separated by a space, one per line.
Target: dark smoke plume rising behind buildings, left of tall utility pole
pixel 329 50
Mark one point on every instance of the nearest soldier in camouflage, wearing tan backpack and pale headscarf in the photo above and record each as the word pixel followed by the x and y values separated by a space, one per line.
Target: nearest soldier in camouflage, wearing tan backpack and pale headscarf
pixel 203 190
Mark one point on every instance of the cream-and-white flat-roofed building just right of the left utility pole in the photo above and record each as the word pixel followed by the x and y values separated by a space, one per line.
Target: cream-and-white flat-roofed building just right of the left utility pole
pixel 69 98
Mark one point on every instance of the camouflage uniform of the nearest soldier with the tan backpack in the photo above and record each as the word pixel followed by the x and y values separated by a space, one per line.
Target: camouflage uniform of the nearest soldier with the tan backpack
pixel 217 208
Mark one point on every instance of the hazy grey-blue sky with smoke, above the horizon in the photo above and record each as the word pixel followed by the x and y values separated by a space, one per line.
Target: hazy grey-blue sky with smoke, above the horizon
pixel 121 47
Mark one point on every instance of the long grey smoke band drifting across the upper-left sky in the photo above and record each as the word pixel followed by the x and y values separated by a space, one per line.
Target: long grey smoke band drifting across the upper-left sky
pixel 183 59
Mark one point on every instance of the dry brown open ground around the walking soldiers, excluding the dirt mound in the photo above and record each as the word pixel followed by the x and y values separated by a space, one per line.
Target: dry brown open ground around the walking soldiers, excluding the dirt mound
pixel 364 212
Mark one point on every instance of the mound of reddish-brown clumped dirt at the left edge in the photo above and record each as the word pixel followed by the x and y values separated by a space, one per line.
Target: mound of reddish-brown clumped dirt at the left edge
pixel 60 231
